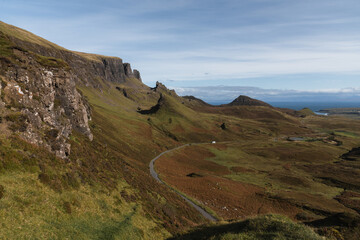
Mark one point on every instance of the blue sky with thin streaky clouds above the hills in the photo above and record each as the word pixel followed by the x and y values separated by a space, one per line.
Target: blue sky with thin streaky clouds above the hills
pixel 269 49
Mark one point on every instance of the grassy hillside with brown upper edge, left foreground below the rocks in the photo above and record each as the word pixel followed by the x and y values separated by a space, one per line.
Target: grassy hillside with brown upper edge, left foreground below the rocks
pixel 46 198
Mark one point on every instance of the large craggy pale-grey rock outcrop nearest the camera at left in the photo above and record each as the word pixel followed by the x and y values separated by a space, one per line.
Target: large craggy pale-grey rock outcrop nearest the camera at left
pixel 48 98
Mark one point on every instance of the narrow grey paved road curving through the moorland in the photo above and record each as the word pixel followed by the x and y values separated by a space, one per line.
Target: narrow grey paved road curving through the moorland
pixel 156 176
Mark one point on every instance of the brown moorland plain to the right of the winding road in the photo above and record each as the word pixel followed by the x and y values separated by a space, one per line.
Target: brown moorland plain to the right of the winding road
pixel 307 179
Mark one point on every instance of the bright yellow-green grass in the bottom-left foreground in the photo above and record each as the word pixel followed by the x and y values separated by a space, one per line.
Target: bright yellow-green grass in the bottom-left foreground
pixel 31 210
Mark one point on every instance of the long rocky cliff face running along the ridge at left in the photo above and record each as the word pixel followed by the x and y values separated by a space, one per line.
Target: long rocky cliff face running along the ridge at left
pixel 39 98
